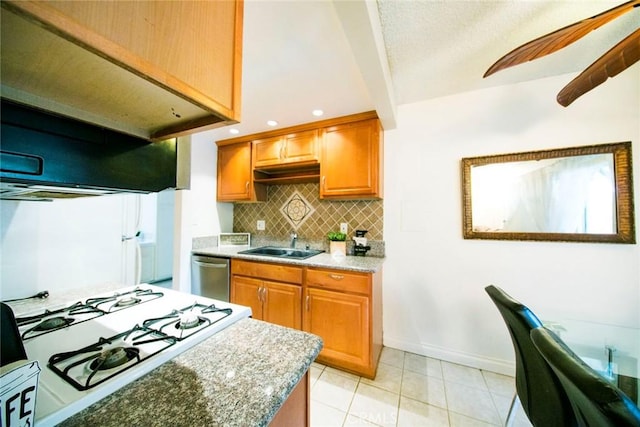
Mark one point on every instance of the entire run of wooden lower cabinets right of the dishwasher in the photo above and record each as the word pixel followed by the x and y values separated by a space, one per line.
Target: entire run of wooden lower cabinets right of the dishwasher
pixel 343 307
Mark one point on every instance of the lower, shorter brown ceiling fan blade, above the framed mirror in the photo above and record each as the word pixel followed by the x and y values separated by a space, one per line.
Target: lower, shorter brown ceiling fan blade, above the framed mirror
pixel 616 60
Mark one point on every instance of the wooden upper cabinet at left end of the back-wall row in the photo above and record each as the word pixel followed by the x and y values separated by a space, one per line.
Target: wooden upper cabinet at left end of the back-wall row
pixel 235 175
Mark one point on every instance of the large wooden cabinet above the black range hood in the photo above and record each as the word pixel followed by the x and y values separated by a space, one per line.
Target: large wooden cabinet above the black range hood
pixel 155 69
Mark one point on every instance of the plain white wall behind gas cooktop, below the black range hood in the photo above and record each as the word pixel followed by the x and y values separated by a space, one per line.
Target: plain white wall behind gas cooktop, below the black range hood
pixel 62 244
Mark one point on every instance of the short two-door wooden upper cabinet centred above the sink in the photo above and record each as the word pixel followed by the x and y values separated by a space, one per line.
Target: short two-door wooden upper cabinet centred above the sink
pixel 299 148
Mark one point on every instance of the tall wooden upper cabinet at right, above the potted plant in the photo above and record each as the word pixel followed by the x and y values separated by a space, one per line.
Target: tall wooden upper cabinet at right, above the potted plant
pixel 350 161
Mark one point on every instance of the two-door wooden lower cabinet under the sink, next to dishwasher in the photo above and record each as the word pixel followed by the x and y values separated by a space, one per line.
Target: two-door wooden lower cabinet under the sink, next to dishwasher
pixel 270 300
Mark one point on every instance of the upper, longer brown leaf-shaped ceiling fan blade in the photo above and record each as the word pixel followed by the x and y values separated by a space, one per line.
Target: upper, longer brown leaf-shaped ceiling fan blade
pixel 558 39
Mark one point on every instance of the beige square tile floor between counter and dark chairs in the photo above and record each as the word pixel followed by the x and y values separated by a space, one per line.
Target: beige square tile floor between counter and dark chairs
pixel 412 390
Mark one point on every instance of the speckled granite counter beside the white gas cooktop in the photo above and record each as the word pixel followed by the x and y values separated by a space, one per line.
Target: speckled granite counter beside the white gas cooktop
pixel 239 377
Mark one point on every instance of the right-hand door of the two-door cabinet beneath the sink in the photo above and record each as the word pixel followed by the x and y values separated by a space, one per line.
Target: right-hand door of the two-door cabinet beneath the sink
pixel 282 304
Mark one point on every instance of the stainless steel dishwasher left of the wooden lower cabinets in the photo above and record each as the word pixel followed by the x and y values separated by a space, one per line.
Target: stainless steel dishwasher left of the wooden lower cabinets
pixel 210 277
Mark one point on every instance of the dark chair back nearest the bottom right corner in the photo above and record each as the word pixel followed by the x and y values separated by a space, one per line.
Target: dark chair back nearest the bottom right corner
pixel 595 401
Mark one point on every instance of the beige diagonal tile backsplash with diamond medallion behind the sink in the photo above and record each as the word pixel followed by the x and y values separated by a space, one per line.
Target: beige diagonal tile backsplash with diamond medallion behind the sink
pixel 298 208
